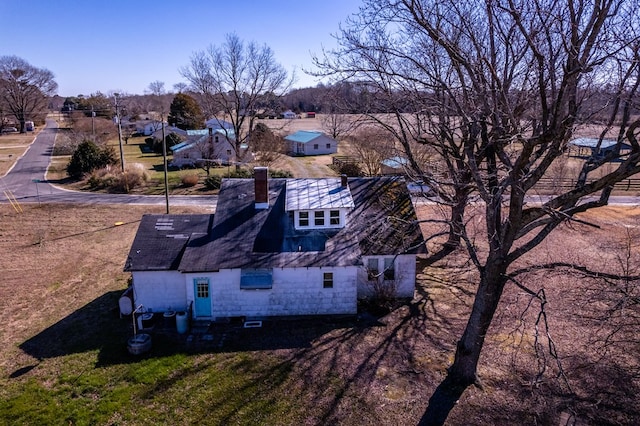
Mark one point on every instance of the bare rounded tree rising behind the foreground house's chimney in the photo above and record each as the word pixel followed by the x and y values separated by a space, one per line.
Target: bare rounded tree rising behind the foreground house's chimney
pixel 231 79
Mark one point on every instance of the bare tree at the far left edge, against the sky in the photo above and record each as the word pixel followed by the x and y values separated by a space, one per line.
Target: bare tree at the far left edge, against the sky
pixel 24 89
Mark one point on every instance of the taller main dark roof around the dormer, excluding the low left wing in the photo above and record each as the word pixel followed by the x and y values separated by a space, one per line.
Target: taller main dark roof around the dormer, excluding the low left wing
pixel 382 222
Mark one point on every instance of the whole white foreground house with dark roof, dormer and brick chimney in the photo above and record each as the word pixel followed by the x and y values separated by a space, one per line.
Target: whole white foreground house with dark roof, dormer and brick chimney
pixel 279 247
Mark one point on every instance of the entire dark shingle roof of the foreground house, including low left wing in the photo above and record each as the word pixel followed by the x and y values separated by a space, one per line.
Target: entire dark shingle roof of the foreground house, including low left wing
pixel 381 222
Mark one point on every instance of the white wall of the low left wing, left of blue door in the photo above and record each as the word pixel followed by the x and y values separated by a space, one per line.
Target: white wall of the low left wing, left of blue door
pixel 159 291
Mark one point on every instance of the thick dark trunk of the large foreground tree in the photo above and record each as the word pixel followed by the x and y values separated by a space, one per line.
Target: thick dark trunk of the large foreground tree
pixel 463 372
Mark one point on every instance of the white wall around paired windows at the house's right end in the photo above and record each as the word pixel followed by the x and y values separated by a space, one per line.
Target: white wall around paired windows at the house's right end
pixel 405 276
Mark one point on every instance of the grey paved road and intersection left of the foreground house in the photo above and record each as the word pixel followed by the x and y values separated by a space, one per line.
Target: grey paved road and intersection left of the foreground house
pixel 26 181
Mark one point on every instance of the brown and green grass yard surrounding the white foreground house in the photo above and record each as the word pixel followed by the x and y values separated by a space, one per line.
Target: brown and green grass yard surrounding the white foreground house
pixel 62 356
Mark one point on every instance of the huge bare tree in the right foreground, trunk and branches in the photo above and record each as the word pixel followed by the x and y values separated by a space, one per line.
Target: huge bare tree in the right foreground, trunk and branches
pixel 496 89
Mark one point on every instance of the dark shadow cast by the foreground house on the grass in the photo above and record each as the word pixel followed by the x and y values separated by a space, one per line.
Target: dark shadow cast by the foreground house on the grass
pixel 98 326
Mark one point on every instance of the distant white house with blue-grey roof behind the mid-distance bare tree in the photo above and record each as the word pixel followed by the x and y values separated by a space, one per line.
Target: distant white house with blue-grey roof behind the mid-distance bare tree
pixel 215 145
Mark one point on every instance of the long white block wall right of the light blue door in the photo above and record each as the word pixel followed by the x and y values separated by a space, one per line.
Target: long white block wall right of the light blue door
pixel 295 291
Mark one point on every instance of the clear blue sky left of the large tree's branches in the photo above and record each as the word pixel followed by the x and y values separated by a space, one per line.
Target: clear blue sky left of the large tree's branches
pixel 123 45
